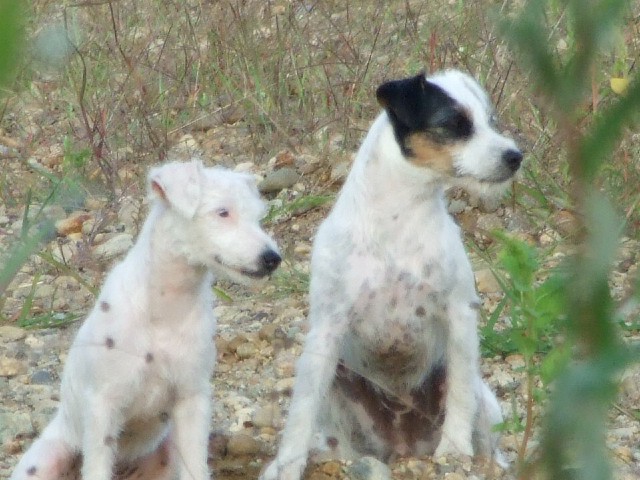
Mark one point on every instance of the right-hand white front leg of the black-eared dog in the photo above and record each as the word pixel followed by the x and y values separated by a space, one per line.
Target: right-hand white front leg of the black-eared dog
pixel 461 402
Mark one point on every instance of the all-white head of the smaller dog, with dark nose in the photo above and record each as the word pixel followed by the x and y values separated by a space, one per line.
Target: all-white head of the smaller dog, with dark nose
pixel 217 214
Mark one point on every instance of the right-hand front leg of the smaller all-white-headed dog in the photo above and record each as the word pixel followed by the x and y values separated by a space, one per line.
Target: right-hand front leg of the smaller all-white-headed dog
pixel 191 418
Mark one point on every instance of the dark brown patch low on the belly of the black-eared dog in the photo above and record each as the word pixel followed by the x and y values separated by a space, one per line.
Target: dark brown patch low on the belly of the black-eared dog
pixel 400 423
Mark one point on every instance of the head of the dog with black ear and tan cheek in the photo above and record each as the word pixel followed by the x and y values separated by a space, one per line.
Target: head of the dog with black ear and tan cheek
pixel 445 124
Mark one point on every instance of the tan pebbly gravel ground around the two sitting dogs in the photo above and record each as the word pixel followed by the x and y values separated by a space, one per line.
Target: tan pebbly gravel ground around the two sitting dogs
pixel 261 330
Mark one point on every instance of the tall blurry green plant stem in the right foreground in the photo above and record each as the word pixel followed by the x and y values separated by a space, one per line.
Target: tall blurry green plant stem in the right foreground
pixel 573 447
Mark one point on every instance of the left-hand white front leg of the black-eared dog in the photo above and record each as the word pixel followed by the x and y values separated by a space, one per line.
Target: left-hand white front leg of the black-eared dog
pixel 315 371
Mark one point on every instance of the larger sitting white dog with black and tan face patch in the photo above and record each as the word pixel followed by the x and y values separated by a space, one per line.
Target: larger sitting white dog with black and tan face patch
pixel 390 364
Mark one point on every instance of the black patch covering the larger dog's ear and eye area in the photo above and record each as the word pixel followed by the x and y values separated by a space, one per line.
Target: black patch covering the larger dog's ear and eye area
pixel 415 105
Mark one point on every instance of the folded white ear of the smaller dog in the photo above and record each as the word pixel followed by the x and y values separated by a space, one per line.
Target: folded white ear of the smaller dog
pixel 178 184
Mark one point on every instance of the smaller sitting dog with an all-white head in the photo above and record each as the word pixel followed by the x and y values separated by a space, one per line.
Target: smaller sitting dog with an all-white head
pixel 136 386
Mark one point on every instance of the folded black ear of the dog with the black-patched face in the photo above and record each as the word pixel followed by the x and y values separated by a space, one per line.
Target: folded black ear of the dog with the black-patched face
pixel 406 101
